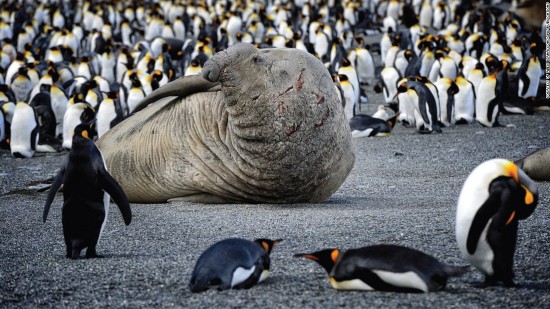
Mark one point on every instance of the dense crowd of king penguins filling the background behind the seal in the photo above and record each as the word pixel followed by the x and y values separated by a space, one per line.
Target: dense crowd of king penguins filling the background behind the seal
pixel 65 62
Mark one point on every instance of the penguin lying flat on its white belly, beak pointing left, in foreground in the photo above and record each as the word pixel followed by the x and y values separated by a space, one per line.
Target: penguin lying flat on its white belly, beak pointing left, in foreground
pixel 384 268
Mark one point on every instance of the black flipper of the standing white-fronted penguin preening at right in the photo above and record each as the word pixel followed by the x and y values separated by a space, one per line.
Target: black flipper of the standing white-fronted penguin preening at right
pixel 485 213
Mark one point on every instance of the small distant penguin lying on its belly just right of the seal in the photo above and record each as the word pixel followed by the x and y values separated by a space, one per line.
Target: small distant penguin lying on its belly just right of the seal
pixel 362 125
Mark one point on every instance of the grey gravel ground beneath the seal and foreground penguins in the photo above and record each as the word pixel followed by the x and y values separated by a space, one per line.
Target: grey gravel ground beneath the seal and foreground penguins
pixel 402 190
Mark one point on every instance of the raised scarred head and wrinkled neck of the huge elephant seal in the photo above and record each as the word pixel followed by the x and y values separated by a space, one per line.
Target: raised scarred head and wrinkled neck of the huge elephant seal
pixel 283 113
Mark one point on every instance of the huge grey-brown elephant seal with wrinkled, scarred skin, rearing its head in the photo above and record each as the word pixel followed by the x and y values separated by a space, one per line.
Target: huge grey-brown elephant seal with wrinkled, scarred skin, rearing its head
pixel 258 126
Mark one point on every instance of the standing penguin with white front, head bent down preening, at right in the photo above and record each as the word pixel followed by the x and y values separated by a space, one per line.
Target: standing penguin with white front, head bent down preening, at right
pixel 495 196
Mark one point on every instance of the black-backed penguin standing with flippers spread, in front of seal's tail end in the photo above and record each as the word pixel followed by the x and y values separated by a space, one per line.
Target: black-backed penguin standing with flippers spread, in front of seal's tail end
pixel 87 189
